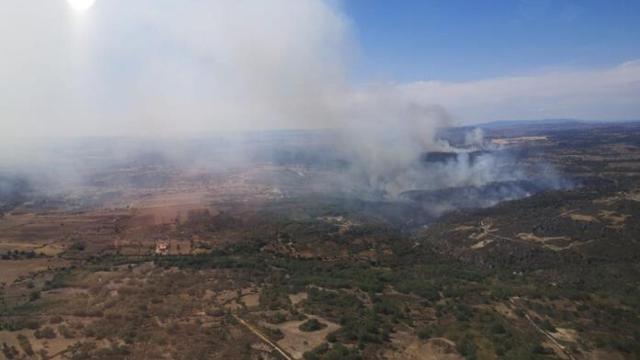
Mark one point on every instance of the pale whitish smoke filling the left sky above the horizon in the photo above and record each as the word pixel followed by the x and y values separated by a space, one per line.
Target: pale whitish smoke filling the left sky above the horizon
pixel 163 68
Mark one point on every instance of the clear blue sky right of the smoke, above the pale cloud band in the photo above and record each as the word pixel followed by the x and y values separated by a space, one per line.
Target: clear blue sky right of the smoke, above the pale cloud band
pixel 462 40
